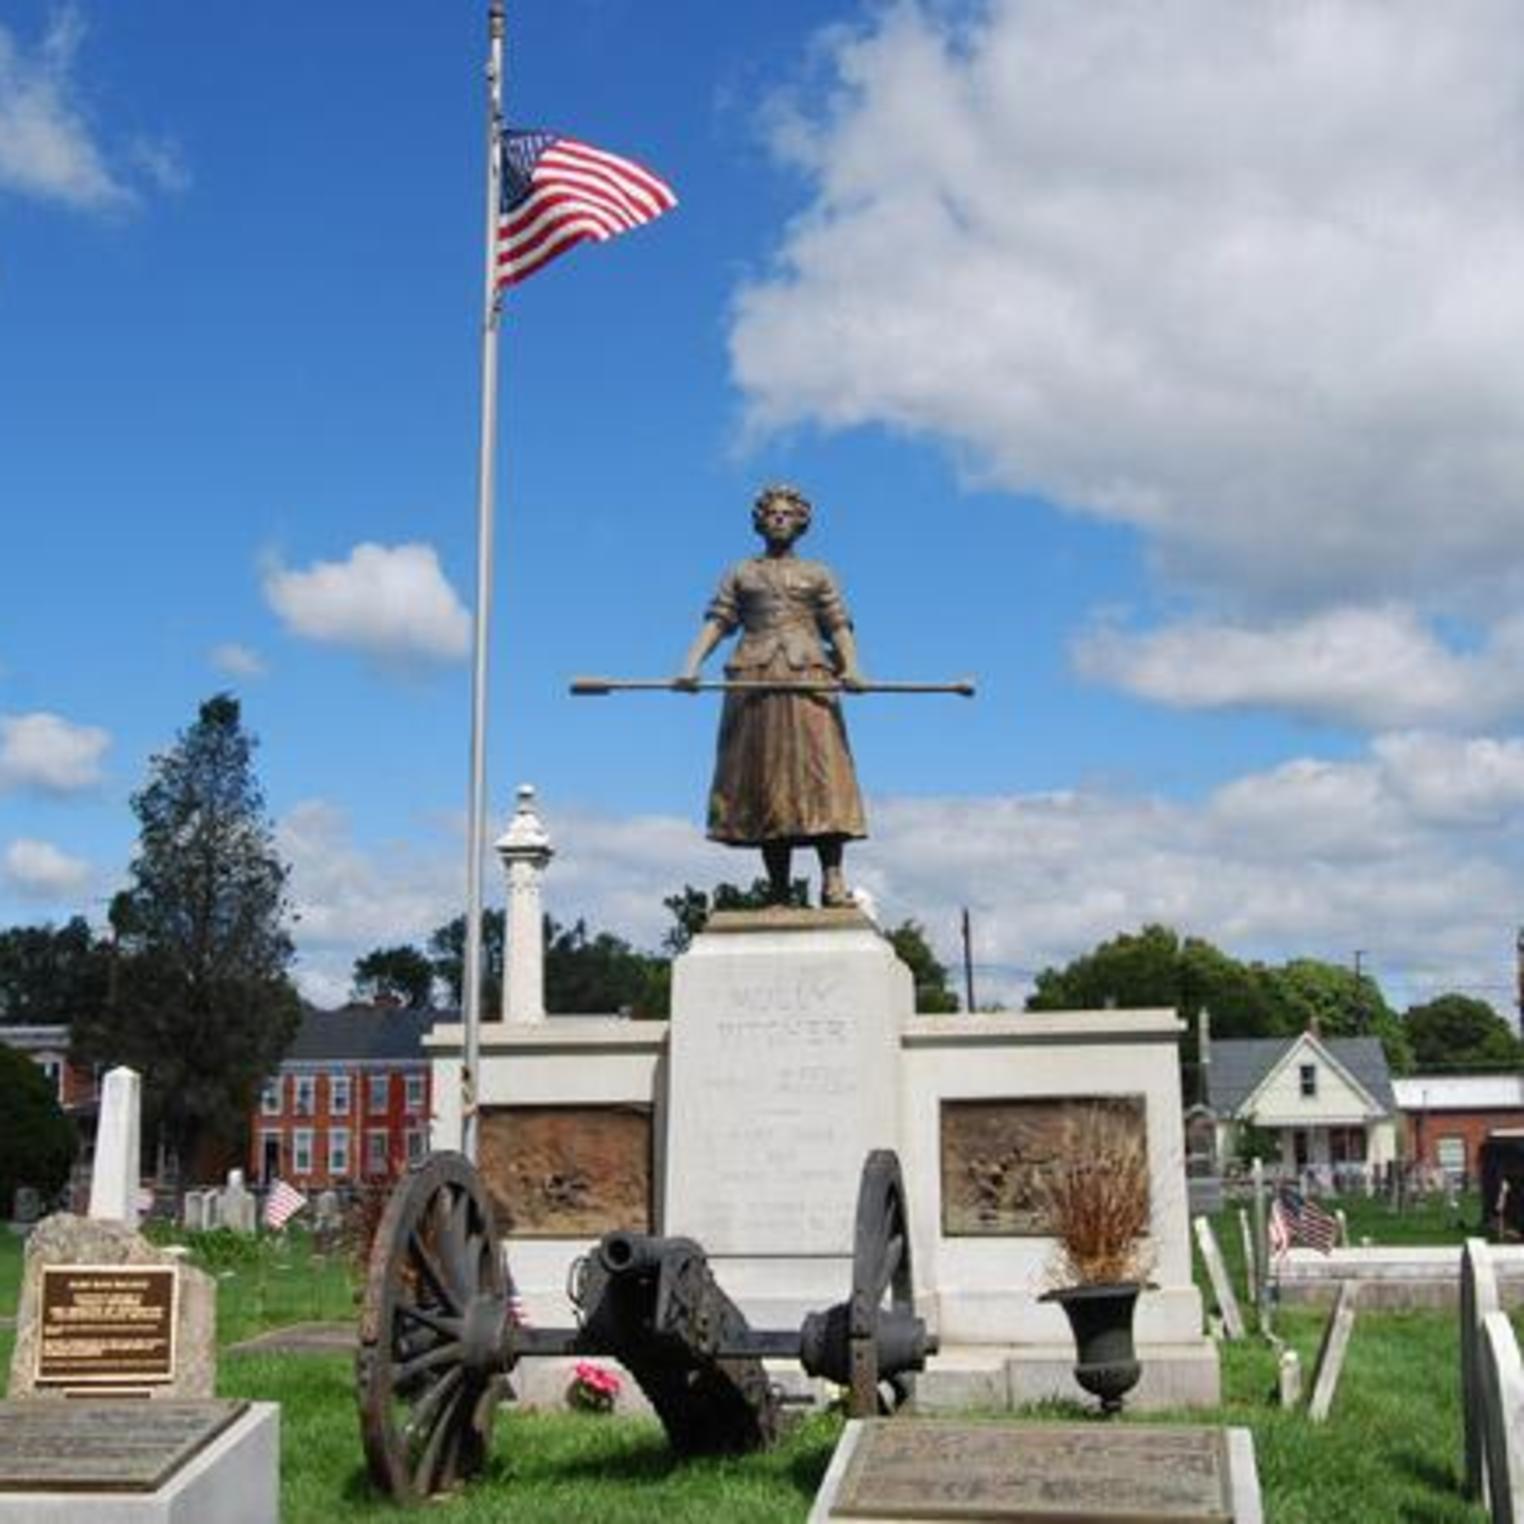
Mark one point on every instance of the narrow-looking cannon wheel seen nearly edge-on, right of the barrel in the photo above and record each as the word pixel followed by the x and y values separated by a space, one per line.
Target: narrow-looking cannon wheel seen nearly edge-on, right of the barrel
pixel 882 1276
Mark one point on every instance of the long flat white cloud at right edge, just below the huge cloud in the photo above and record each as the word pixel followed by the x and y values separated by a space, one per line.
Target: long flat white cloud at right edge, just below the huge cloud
pixel 1375 668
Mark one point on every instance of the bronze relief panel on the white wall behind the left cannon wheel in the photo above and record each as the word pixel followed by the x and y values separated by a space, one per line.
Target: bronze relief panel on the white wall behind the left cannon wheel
pixel 568 1171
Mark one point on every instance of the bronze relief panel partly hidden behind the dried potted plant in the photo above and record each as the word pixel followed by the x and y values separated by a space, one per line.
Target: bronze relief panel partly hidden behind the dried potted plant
pixel 996 1151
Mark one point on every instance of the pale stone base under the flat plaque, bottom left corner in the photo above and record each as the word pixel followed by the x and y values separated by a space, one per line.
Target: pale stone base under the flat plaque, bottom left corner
pixel 235 1479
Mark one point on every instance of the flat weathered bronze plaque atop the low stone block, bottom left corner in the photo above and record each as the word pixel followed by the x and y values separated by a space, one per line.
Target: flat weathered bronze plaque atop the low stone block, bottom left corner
pixel 104 1447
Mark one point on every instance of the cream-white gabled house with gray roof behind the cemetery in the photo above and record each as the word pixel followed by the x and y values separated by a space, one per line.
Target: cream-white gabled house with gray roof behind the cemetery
pixel 1330 1100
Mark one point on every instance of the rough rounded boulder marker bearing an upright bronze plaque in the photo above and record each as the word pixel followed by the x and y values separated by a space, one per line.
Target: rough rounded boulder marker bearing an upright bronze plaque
pixel 104 1311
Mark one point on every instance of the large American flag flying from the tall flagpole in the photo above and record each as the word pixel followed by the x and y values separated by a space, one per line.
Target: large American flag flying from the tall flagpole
pixel 557 193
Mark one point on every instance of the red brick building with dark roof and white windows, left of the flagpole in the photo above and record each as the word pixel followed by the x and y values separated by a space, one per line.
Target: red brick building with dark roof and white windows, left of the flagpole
pixel 351 1101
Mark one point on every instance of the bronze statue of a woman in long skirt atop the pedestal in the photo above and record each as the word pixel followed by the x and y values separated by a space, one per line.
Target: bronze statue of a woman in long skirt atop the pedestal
pixel 784 773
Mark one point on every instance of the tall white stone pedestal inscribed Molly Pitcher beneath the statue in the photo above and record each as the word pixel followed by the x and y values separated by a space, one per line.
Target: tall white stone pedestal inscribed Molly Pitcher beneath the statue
pixel 784 1075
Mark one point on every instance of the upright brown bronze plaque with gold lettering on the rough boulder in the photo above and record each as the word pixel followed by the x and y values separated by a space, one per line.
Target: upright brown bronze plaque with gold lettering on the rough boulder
pixel 107 1327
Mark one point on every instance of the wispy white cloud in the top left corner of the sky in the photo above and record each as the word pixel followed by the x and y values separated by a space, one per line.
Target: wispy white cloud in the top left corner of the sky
pixel 48 149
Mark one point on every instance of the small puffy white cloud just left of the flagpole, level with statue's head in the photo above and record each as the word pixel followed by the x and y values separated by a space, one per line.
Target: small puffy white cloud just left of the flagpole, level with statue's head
pixel 391 603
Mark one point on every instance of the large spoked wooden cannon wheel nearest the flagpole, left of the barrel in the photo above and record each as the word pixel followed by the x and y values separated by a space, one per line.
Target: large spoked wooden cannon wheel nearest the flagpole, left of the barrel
pixel 435 1299
